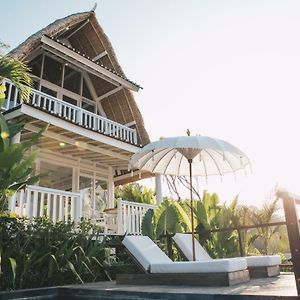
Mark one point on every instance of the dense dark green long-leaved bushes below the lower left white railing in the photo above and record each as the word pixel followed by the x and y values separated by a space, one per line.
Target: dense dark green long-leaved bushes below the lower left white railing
pixel 40 253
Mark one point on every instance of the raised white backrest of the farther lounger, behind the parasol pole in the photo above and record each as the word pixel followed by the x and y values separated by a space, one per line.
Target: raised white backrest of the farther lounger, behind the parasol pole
pixel 184 243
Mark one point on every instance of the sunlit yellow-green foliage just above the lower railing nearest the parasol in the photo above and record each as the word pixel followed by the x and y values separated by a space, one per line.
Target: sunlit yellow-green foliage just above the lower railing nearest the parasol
pixel 136 193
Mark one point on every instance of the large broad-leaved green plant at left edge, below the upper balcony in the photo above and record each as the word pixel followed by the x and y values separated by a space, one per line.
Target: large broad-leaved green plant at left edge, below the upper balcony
pixel 15 168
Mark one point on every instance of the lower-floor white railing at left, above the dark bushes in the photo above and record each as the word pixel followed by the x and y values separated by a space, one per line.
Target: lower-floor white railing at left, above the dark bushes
pixel 38 201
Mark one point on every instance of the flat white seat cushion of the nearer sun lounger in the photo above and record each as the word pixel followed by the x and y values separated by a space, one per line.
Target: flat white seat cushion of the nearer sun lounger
pixel 209 266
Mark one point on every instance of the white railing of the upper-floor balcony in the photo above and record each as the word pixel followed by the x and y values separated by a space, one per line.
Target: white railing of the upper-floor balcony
pixel 71 113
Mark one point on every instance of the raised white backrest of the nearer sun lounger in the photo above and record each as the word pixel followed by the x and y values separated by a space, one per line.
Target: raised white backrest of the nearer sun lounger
pixel 145 251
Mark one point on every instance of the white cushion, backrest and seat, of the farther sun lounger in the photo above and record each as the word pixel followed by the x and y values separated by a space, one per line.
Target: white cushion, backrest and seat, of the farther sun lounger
pixel 184 242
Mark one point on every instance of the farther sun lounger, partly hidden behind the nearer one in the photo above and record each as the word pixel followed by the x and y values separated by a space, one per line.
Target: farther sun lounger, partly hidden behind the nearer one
pixel 258 266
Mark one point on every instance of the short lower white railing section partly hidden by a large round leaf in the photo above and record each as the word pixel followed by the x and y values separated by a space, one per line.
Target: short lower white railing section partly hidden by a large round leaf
pixel 130 216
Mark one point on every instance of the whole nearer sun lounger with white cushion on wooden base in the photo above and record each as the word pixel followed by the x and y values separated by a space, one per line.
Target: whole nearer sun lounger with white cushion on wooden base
pixel 159 269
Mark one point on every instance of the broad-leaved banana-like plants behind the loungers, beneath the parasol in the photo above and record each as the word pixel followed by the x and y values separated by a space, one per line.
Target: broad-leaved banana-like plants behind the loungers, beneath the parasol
pixel 174 216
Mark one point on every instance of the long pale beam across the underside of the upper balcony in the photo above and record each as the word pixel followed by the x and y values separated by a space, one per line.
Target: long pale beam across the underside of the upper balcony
pixel 70 141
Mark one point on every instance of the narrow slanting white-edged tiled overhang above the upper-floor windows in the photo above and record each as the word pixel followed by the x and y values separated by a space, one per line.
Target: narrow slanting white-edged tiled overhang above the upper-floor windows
pixel 83 62
